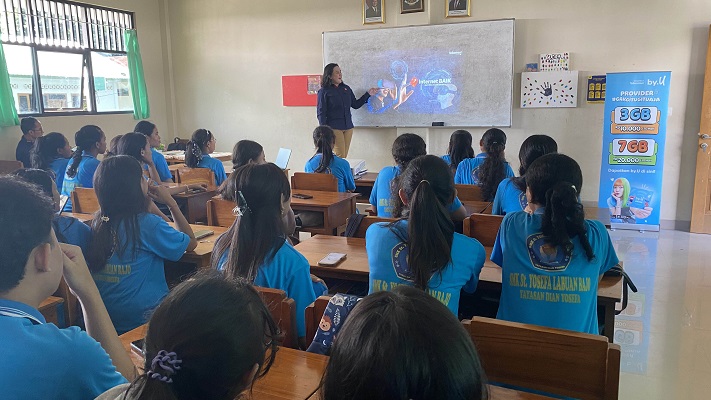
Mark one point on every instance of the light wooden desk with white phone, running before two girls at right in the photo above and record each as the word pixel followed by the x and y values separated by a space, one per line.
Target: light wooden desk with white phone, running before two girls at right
pixel 355 268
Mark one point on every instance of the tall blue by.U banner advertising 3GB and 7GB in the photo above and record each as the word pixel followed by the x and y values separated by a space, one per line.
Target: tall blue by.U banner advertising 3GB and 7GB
pixel 634 135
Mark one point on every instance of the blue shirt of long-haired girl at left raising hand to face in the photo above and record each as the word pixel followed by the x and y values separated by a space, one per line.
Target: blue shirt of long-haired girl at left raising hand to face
pixel 132 288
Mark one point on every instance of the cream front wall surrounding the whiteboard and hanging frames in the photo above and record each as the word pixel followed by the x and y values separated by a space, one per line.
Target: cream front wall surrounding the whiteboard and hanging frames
pixel 227 59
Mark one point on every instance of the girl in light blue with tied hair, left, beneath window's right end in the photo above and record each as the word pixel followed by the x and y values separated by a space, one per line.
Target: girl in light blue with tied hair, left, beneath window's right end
pixel 91 142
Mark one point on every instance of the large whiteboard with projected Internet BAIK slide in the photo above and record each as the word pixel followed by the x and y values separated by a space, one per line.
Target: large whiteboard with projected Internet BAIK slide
pixel 458 74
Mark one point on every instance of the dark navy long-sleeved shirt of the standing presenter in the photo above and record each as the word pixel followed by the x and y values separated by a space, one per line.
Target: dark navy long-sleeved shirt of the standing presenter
pixel 333 107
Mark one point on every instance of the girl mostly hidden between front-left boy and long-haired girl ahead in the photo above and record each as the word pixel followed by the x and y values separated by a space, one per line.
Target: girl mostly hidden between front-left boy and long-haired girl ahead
pixel 68 229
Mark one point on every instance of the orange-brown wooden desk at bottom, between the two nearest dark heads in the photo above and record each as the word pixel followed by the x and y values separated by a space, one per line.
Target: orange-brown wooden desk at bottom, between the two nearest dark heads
pixel 295 374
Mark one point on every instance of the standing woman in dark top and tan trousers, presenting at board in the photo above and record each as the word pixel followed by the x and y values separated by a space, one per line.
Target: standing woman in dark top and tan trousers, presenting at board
pixel 335 100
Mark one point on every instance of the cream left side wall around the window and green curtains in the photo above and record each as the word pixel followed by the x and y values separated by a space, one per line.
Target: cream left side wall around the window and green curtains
pixel 150 35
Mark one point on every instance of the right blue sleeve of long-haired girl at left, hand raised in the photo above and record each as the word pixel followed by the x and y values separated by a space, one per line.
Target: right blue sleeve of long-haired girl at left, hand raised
pixel 164 241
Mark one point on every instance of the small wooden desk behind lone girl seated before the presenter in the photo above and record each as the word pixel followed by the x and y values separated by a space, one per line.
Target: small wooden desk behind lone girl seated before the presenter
pixel 335 206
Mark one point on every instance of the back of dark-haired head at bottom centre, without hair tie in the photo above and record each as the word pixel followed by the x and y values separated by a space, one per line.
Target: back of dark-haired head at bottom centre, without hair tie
pixel 379 353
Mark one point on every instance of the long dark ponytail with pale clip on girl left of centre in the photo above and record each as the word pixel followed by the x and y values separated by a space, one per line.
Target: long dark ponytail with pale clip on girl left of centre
pixel 258 233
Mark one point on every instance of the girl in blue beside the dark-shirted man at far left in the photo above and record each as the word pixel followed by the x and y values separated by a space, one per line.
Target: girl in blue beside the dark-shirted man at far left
pixel 51 152
